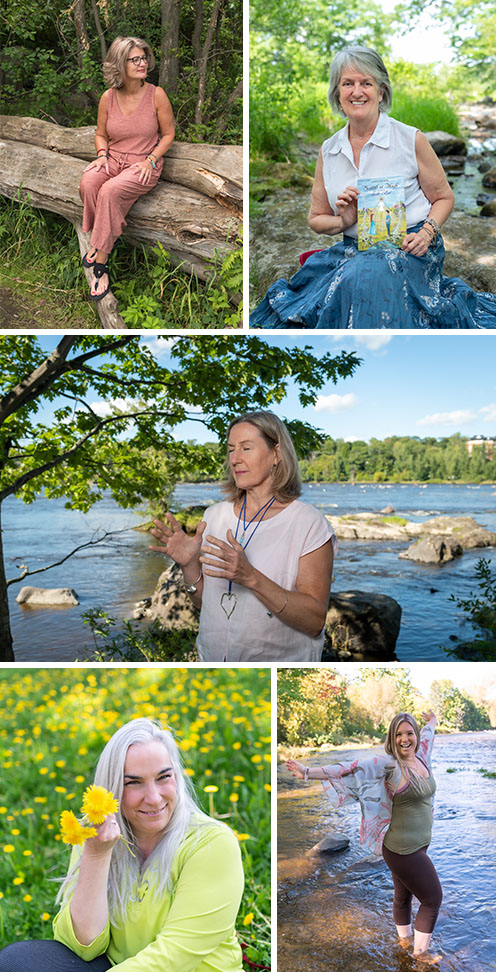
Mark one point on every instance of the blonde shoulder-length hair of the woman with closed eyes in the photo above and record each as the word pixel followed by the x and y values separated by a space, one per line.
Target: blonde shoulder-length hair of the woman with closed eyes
pixel 286 482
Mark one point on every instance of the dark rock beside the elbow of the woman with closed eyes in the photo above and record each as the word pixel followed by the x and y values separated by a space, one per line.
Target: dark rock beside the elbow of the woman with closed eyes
pixel 361 626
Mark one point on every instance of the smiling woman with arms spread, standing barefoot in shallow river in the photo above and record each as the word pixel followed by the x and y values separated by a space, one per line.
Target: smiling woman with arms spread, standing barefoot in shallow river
pixel 395 792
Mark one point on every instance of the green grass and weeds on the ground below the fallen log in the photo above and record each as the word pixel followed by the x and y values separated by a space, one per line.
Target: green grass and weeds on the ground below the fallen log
pixel 41 269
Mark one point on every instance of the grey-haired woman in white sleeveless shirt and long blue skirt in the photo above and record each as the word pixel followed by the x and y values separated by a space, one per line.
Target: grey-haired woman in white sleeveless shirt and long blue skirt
pixel 386 285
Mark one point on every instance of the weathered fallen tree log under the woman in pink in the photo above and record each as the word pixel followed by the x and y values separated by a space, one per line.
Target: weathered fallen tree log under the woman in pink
pixel 195 212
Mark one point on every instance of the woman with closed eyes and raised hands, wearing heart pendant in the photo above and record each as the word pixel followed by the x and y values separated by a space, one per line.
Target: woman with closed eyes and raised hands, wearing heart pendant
pixel 260 563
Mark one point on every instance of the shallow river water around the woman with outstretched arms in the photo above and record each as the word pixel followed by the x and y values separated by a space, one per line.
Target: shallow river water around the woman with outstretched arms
pixel 334 911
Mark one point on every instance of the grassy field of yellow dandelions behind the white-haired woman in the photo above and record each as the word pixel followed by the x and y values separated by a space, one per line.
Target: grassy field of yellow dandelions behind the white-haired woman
pixel 53 726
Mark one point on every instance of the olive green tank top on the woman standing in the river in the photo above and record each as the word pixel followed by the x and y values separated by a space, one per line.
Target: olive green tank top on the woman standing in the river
pixel 411 820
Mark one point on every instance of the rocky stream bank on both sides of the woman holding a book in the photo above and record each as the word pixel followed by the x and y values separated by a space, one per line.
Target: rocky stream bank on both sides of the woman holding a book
pixel 279 230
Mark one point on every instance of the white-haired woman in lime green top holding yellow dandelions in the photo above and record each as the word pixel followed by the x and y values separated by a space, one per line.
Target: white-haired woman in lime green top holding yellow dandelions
pixel 165 896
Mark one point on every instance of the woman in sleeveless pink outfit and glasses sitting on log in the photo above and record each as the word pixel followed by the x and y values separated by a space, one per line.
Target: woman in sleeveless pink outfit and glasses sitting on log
pixel 135 128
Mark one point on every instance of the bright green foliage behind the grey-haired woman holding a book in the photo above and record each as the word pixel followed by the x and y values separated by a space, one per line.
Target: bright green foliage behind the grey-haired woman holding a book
pixel 292 46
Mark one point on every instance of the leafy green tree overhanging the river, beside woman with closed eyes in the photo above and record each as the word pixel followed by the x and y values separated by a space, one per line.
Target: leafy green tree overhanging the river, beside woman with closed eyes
pixel 110 399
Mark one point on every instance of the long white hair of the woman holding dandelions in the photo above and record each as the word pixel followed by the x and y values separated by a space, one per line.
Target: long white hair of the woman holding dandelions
pixel 126 870
